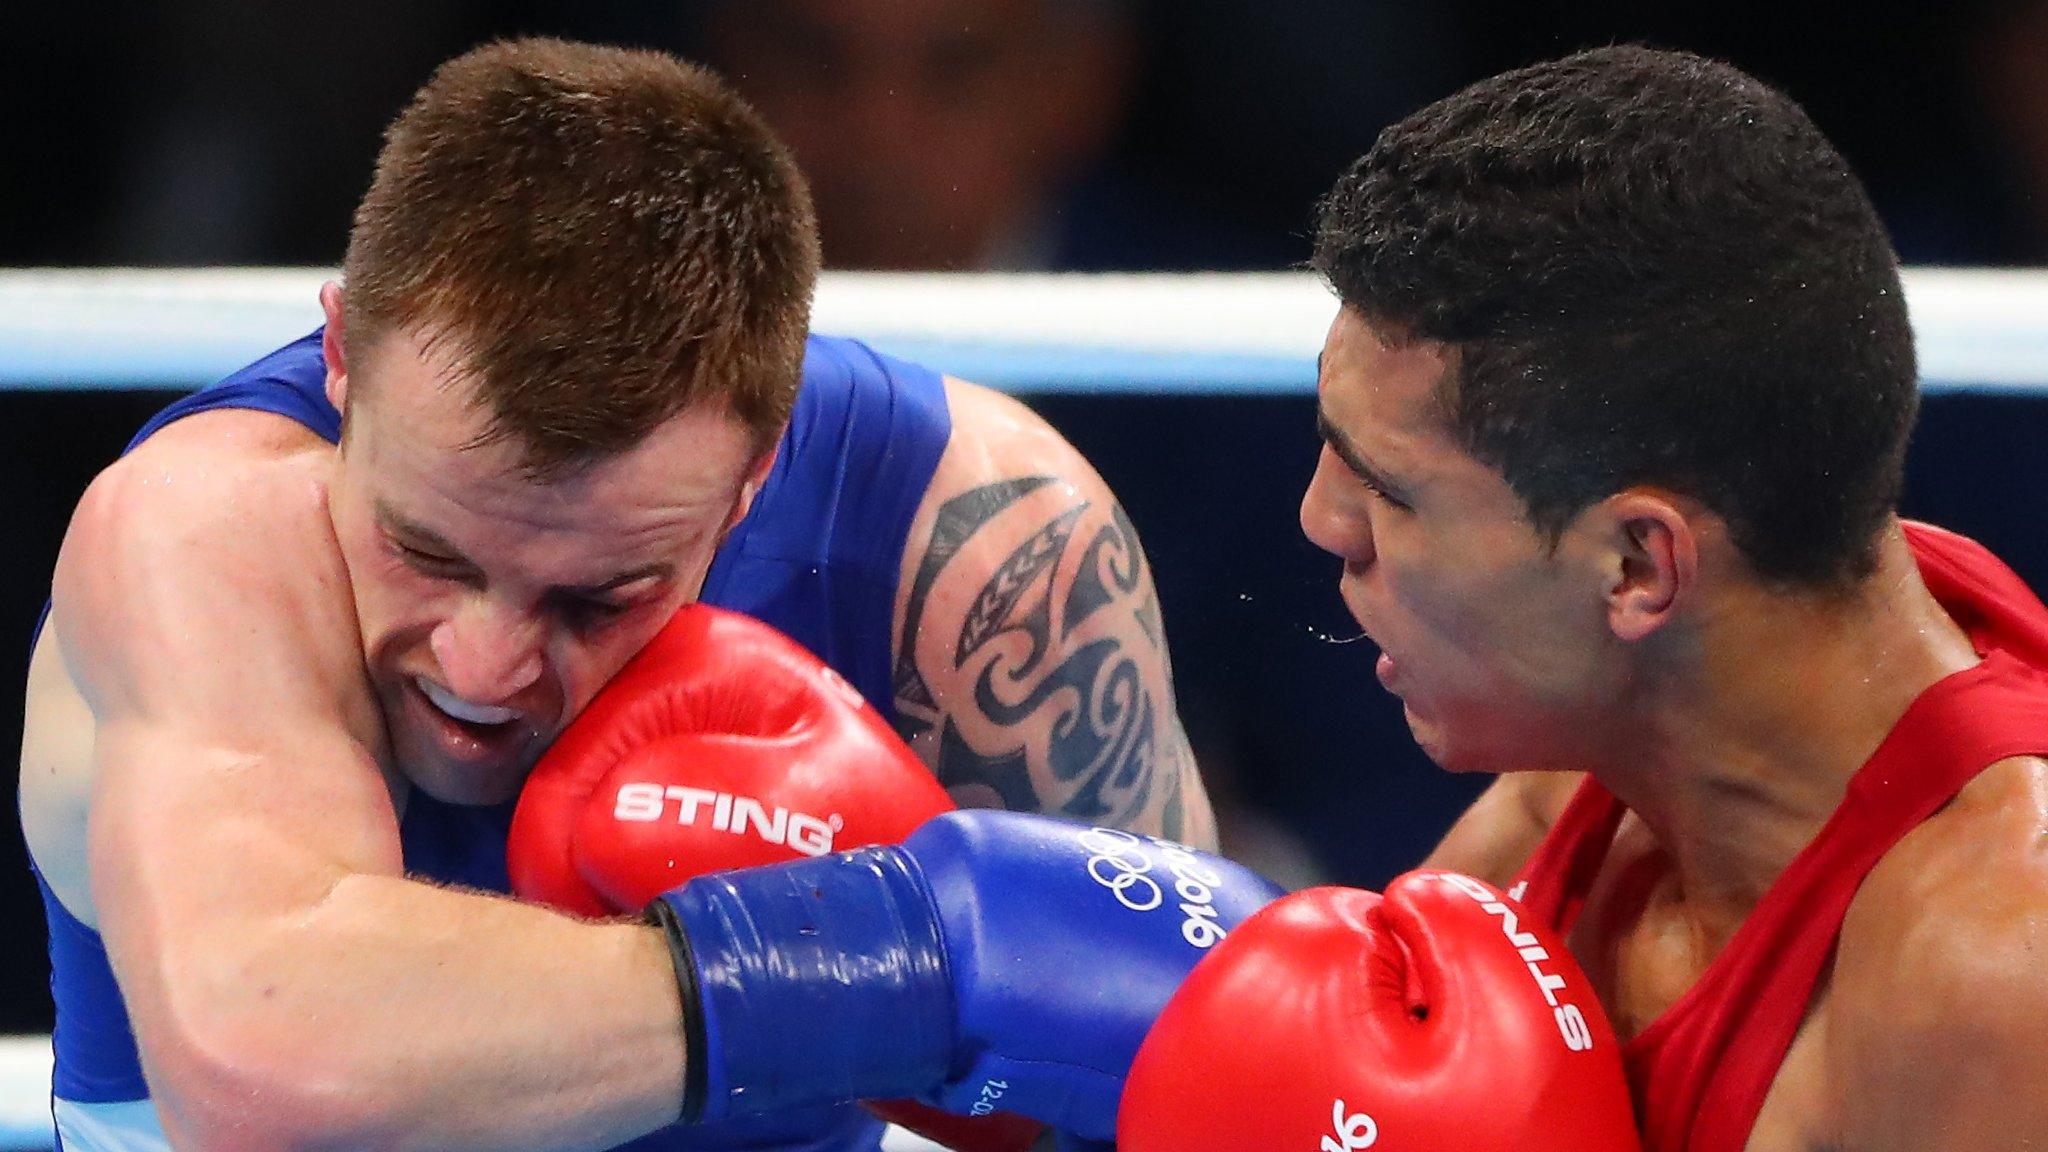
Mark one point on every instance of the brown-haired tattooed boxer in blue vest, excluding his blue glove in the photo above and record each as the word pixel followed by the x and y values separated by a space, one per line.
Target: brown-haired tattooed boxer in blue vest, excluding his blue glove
pixel 312 632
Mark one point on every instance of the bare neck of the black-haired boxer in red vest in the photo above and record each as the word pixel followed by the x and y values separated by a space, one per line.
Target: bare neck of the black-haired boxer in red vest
pixel 1748 747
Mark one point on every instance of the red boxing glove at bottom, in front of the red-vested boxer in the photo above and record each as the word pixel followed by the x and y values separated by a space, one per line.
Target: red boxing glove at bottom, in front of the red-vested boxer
pixel 1338 1020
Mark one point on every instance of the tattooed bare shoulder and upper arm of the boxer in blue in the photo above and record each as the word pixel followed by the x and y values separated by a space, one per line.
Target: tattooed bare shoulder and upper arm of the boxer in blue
pixel 1021 567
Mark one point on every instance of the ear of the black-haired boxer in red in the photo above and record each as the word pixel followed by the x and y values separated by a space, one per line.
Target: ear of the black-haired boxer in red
pixel 1654 563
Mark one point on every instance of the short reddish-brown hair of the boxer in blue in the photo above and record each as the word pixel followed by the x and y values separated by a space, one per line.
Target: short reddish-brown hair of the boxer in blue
pixel 603 237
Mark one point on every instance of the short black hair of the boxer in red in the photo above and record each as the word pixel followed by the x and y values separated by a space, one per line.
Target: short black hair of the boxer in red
pixel 1650 270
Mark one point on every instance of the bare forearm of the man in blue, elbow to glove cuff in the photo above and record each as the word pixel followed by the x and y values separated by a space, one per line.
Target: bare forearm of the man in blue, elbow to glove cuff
pixel 404 1016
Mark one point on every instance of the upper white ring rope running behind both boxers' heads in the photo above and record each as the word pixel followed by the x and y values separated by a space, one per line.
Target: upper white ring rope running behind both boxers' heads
pixel 1066 333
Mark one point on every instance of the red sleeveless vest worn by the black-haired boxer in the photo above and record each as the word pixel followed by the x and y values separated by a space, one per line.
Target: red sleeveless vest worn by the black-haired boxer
pixel 1703 1069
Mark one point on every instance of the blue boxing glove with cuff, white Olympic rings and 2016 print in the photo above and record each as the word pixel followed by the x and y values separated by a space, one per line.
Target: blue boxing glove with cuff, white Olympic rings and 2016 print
pixel 992 962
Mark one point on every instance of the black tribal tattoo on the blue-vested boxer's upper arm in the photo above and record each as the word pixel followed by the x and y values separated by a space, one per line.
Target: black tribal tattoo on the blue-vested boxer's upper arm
pixel 1048 682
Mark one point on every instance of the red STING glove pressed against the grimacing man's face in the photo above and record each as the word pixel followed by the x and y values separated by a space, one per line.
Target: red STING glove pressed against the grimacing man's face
pixel 724 745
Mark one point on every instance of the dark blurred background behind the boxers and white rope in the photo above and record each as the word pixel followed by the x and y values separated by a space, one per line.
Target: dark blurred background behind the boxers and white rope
pixel 1013 134
